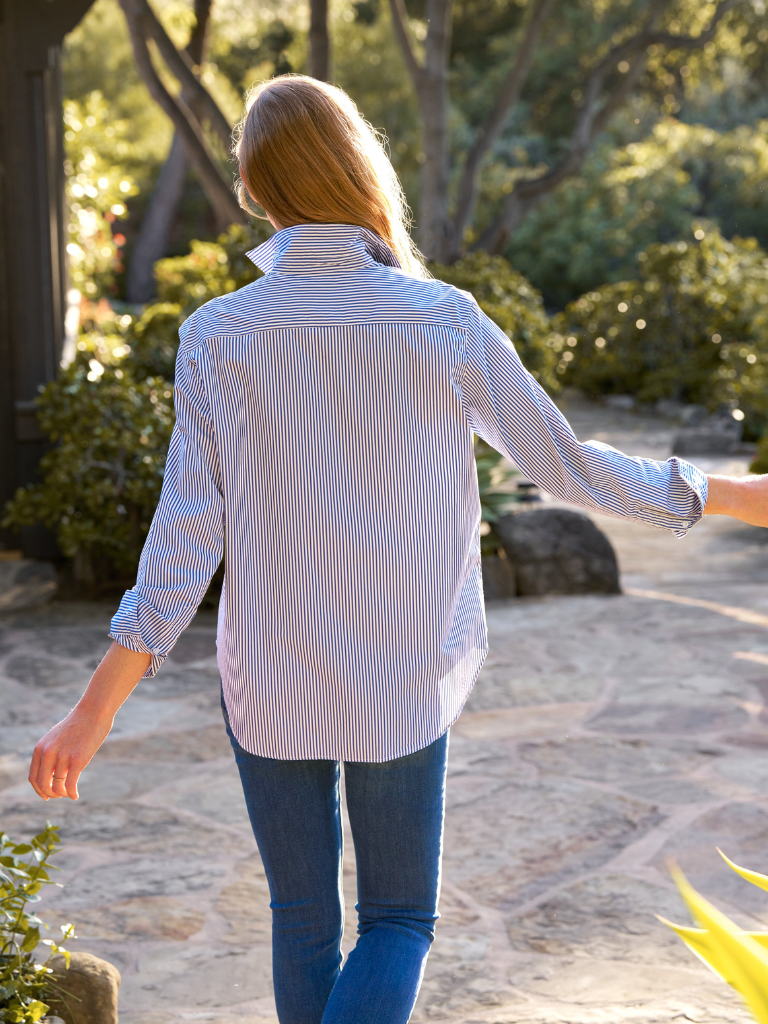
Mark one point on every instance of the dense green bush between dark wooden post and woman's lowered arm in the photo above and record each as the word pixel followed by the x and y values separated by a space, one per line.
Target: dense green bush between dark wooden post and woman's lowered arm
pixel 110 415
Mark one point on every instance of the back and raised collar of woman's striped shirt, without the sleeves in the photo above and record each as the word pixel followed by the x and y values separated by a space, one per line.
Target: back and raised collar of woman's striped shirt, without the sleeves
pixel 349 476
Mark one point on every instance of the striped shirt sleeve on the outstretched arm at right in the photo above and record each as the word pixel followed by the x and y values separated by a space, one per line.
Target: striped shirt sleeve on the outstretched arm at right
pixel 509 410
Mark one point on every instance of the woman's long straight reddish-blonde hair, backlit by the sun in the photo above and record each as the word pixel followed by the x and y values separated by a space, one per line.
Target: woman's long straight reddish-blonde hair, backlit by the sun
pixel 308 156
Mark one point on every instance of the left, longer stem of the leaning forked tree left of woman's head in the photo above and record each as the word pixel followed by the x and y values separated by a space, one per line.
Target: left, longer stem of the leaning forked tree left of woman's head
pixel 223 199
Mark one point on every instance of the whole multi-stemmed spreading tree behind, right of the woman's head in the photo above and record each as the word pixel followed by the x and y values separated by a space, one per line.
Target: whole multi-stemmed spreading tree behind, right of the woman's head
pixel 612 73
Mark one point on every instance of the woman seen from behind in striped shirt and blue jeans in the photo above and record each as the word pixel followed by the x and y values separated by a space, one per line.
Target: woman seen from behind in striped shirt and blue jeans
pixel 324 431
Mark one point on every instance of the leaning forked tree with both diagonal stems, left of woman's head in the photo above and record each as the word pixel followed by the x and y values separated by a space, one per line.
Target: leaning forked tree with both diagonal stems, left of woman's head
pixel 190 111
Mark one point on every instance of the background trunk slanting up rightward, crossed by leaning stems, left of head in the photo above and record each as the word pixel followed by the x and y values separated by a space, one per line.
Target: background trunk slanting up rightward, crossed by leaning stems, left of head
pixel 152 243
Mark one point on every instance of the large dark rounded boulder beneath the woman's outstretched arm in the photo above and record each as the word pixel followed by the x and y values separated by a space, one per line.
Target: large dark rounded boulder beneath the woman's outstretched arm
pixel 557 551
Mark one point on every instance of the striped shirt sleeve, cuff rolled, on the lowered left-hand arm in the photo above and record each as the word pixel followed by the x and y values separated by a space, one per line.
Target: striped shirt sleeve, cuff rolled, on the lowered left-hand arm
pixel 186 542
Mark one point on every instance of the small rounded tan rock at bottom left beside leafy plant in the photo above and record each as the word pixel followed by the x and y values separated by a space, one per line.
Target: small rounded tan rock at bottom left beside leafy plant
pixel 88 994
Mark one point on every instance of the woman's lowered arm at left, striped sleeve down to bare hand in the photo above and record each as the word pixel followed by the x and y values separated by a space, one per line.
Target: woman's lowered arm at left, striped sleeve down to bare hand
pixel 183 550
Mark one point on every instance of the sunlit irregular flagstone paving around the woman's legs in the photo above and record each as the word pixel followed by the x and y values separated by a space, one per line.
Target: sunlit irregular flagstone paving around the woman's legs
pixel 605 735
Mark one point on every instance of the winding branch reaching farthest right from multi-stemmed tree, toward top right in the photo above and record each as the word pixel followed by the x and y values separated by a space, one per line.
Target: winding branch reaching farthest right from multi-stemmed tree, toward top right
pixel 593 117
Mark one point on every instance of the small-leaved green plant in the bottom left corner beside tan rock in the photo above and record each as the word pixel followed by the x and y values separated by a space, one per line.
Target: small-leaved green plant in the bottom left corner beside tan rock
pixel 24 871
